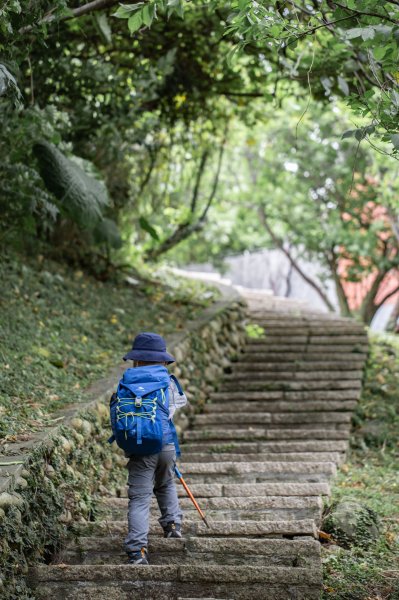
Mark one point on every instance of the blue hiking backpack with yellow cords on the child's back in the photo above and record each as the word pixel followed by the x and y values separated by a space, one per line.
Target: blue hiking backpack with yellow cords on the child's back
pixel 139 411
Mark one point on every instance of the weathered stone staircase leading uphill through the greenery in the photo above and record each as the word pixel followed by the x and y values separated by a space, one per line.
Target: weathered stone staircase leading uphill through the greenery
pixel 259 460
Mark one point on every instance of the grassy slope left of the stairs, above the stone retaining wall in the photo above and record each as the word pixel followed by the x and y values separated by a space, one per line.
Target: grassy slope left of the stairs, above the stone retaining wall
pixel 60 330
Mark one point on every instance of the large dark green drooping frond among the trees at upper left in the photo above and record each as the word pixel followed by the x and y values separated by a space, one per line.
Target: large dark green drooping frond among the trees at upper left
pixel 81 197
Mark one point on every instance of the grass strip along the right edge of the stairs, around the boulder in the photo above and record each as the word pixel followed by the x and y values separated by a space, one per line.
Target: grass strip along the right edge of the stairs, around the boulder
pixel 371 476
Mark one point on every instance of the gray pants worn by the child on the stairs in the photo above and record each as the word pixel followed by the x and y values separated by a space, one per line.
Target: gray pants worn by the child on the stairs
pixel 148 474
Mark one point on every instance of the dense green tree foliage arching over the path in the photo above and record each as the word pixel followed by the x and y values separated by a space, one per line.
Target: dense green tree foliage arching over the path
pixel 176 109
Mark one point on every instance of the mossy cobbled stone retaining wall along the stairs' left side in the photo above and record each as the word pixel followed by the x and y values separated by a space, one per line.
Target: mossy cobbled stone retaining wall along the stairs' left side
pixel 56 477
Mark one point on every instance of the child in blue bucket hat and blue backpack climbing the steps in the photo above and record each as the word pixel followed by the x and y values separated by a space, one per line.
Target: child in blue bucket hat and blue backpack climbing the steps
pixel 141 416
